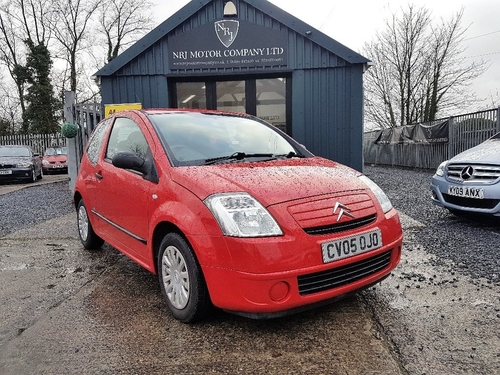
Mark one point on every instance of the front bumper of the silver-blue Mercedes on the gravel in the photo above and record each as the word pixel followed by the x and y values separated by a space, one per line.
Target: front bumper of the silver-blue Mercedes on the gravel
pixel 488 204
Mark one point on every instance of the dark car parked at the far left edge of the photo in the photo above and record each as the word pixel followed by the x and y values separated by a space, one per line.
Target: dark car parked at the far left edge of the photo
pixel 19 163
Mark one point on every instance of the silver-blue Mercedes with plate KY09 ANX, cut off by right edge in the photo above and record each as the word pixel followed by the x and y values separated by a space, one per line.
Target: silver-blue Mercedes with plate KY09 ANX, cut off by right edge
pixel 470 181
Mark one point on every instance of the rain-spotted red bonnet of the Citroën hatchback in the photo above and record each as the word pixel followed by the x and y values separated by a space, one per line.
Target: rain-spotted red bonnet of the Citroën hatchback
pixel 271 182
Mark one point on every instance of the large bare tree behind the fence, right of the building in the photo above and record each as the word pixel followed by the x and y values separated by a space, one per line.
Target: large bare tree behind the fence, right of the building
pixel 419 70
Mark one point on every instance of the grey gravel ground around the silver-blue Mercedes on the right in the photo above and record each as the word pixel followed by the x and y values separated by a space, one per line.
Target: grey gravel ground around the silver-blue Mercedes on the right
pixel 470 242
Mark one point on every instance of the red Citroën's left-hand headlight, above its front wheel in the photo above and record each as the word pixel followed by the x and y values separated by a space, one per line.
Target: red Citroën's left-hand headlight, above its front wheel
pixel 241 215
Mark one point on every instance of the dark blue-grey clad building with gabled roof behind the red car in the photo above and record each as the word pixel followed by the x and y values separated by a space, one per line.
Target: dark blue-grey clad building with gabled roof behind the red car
pixel 248 56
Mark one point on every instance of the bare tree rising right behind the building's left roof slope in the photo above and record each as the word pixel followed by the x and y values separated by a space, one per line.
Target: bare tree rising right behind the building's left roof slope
pixel 123 22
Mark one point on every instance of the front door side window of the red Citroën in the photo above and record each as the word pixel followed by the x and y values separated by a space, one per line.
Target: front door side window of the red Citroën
pixel 126 136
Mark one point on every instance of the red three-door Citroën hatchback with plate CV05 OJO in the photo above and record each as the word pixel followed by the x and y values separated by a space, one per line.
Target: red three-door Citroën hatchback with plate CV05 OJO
pixel 231 212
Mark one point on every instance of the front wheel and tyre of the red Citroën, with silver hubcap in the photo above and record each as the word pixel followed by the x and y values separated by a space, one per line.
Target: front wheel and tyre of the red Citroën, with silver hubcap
pixel 181 280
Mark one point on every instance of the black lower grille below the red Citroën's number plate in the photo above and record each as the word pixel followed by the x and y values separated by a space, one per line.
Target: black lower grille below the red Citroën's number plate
pixel 336 277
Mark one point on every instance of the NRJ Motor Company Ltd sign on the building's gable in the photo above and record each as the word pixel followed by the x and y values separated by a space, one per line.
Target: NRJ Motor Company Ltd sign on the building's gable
pixel 228 43
